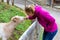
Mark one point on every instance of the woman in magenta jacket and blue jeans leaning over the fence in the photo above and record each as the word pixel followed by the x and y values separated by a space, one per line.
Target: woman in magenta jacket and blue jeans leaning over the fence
pixel 45 19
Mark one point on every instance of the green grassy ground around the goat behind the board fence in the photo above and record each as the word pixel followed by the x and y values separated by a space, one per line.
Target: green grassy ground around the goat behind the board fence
pixel 7 12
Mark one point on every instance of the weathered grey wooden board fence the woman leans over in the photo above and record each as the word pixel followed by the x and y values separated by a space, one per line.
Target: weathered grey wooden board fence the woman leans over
pixel 33 32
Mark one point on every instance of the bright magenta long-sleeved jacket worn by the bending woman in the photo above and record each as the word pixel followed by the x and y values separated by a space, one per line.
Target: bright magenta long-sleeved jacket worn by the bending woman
pixel 45 19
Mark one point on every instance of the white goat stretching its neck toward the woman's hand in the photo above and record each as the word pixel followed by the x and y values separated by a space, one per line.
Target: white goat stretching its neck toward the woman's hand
pixel 6 29
